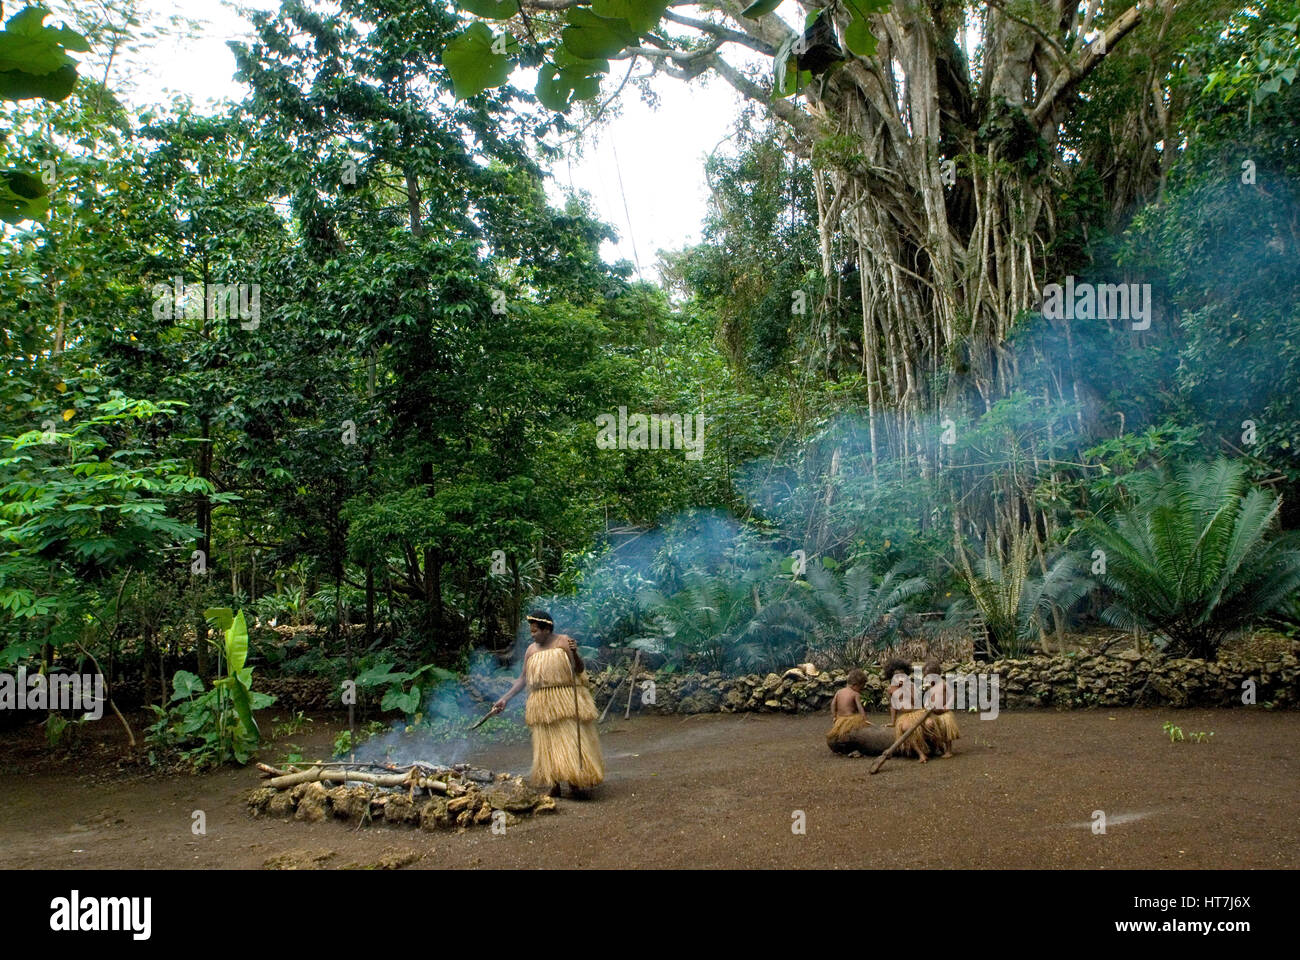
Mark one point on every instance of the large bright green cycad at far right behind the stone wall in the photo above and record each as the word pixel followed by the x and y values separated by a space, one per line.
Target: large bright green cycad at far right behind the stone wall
pixel 1193 559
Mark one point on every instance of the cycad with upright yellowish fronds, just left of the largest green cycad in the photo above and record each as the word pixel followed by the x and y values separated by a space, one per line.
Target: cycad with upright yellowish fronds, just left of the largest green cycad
pixel 1013 602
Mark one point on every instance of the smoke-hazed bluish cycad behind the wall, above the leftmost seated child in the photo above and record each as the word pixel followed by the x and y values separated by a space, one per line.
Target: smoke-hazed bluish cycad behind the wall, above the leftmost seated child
pixel 852 616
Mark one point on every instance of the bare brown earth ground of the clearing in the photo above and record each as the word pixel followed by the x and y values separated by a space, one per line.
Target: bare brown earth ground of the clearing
pixel 721 792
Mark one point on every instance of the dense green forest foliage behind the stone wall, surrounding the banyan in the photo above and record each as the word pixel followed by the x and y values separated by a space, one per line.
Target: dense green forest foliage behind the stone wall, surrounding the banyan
pixel 332 357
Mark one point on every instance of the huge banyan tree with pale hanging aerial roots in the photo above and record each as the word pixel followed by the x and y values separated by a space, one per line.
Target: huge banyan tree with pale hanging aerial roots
pixel 951 144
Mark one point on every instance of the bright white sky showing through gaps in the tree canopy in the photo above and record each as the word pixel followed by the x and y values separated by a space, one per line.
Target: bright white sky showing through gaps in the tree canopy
pixel 660 153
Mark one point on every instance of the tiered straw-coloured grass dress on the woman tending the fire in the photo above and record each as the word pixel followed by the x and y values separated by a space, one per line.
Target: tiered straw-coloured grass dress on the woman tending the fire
pixel 558 737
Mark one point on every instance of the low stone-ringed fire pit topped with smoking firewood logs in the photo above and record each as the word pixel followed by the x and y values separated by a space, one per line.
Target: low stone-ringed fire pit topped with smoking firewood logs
pixel 419 794
